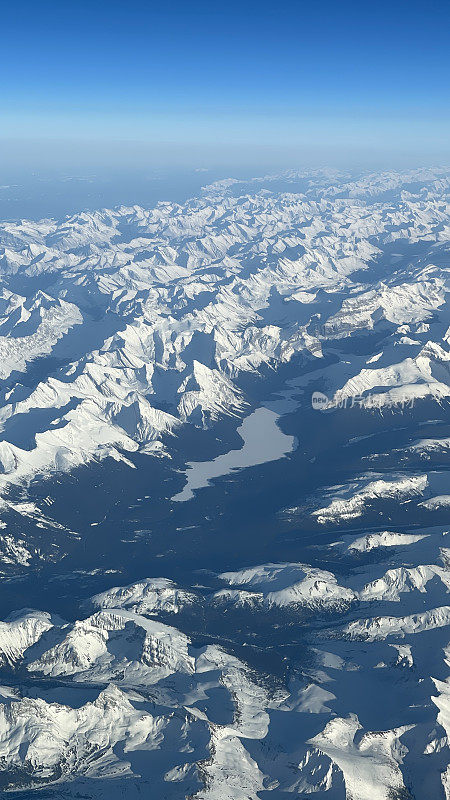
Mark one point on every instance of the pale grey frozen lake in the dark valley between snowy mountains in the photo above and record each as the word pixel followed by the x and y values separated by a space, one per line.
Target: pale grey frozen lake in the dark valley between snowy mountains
pixel 263 441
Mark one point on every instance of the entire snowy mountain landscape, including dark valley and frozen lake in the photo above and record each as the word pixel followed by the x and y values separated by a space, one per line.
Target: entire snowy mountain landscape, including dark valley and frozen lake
pixel 284 629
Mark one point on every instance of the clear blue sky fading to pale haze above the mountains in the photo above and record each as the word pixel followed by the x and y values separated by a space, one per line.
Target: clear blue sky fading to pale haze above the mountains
pixel 212 80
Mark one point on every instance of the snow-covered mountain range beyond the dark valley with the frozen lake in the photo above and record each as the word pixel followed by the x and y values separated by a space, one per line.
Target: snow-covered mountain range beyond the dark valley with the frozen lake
pixel 147 317
